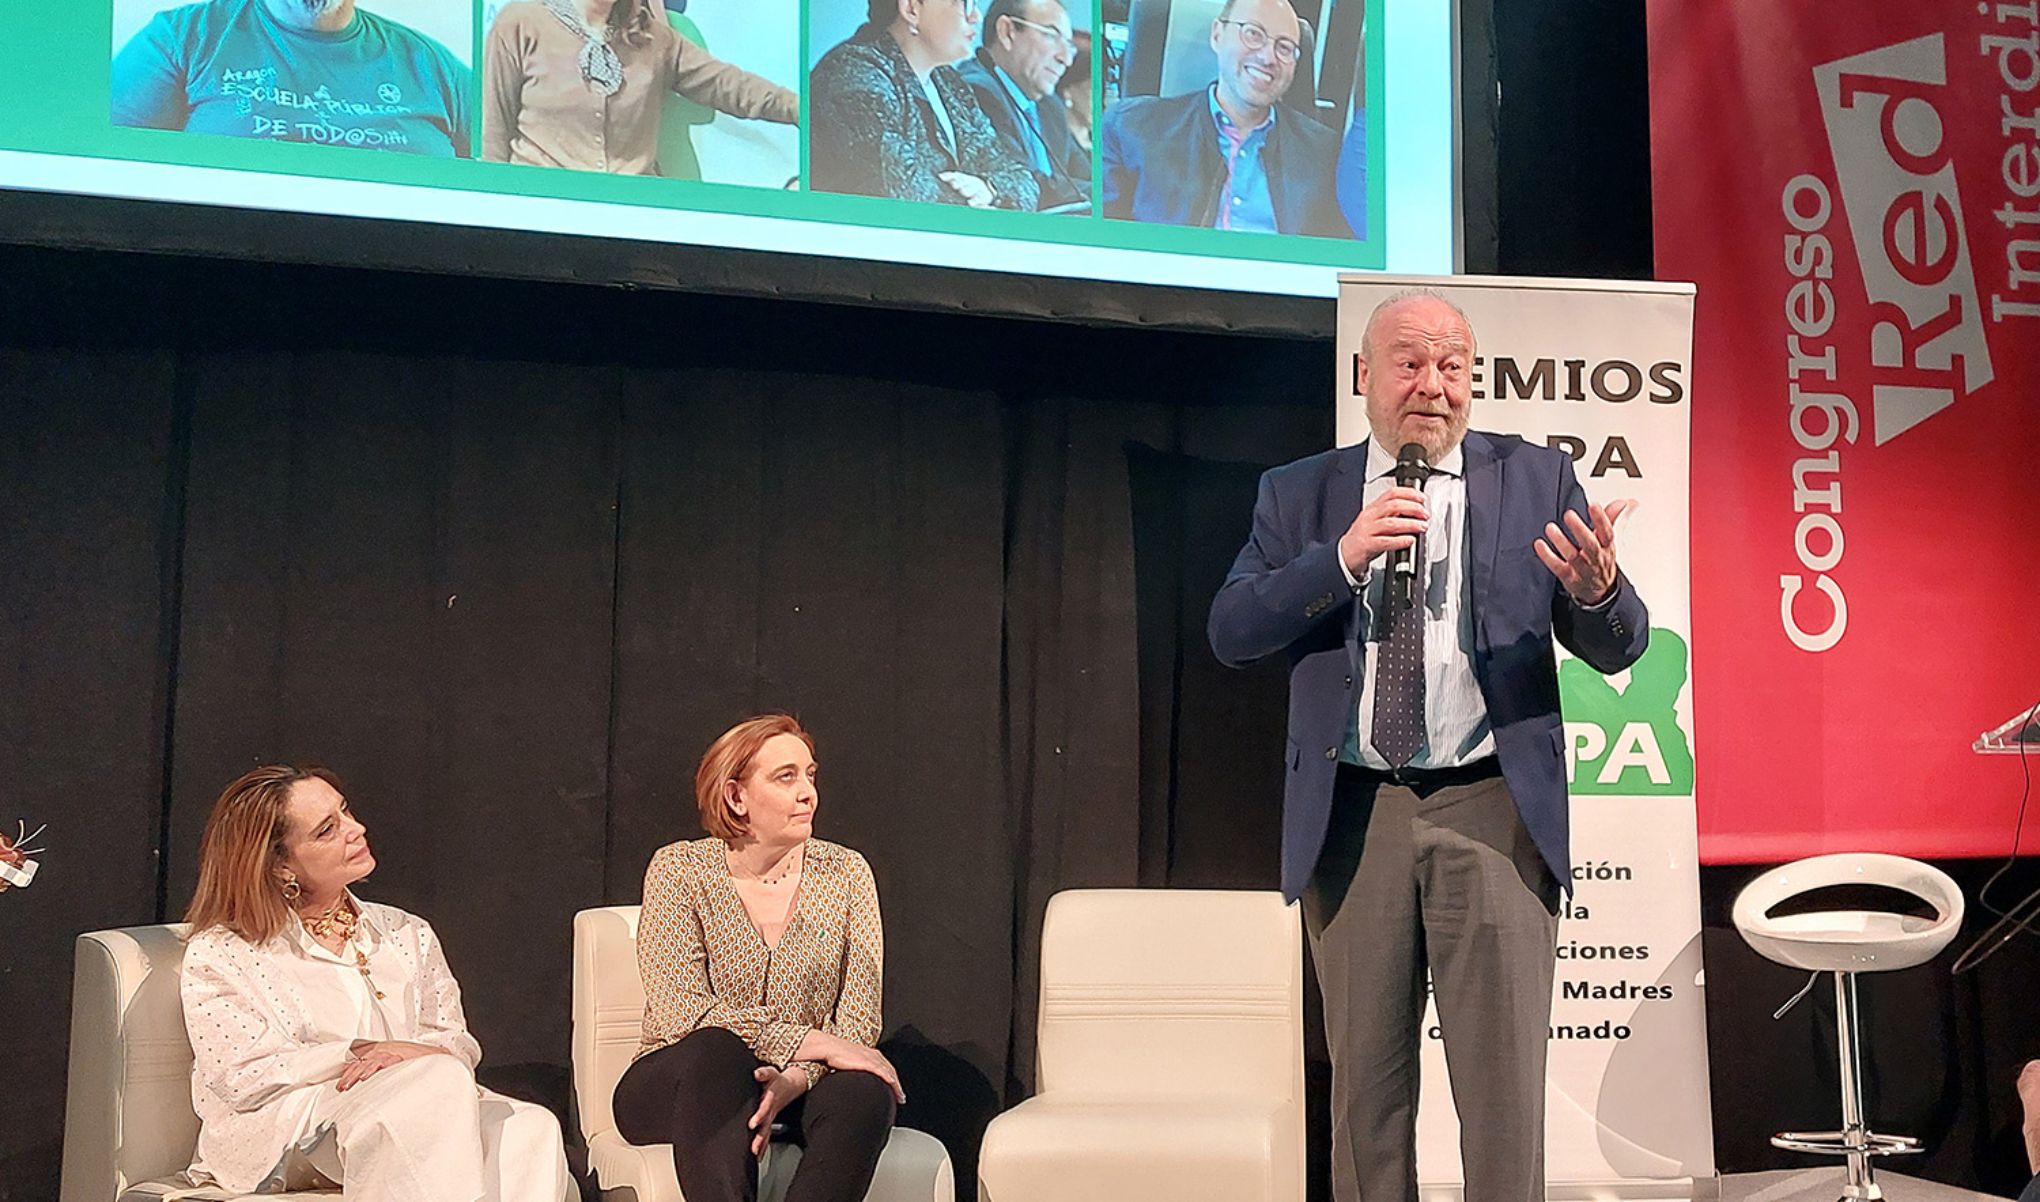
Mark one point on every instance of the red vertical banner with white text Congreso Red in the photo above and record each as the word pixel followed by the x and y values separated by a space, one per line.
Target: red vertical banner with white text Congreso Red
pixel 1857 195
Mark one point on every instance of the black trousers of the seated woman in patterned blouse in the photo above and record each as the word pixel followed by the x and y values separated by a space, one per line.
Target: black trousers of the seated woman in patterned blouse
pixel 699 1095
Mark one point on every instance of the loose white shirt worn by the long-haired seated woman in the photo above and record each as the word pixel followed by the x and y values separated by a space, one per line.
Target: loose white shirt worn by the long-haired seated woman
pixel 272 1023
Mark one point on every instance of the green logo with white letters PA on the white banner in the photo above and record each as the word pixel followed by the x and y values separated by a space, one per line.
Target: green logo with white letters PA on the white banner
pixel 1629 742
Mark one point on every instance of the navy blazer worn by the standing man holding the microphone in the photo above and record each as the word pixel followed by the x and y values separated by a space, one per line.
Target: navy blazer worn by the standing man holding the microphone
pixel 1286 593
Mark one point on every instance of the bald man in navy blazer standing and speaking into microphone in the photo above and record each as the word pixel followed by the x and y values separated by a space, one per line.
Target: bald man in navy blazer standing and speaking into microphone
pixel 1425 815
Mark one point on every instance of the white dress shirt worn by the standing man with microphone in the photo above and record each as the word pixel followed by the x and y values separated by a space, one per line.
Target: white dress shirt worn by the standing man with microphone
pixel 1456 713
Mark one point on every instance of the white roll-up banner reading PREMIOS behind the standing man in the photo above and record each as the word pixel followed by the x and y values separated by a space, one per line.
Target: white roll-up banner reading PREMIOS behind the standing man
pixel 1602 372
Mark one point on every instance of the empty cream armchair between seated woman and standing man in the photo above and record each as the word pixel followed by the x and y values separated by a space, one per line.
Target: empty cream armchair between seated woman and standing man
pixel 1172 1054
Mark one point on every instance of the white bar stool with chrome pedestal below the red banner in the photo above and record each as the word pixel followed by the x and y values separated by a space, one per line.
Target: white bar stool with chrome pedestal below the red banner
pixel 1847 944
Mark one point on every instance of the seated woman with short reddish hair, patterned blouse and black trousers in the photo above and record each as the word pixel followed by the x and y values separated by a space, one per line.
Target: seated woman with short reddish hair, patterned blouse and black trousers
pixel 762 958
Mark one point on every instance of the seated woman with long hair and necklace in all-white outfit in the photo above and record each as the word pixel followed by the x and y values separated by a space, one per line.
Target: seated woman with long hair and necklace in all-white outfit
pixel 327 1034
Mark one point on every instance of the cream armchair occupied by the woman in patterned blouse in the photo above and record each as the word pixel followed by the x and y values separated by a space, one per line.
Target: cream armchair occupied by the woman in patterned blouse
pixel 609 1005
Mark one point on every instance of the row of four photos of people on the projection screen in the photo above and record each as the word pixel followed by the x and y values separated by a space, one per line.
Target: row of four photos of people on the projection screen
pixel 1227 115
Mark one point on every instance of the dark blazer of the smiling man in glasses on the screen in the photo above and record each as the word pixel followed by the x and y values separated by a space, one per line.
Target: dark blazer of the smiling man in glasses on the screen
pixel 1162 164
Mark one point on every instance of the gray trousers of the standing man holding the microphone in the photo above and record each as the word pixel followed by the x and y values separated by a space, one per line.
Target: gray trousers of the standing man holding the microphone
pixel 1439 879
